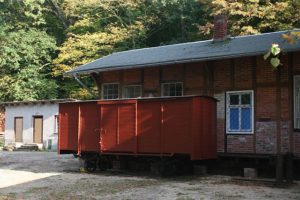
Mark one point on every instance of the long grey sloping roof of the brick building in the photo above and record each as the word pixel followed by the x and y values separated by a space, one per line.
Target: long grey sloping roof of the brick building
pixel 249 45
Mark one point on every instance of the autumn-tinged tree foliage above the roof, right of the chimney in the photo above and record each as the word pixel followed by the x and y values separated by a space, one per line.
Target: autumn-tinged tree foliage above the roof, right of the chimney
pixel 248 17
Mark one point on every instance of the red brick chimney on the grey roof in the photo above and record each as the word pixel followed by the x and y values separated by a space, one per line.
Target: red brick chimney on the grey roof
pixel 220 28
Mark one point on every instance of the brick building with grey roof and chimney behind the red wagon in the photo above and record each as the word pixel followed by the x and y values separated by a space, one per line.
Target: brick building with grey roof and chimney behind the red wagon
pixel 259 106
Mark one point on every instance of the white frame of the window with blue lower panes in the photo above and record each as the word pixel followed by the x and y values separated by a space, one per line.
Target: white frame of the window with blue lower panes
pixel 227 106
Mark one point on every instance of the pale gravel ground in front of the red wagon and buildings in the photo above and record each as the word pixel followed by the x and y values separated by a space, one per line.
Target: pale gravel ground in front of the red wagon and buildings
pixel 46 175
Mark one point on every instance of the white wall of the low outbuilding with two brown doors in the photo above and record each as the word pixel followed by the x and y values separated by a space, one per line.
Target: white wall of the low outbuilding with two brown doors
pixel 47 110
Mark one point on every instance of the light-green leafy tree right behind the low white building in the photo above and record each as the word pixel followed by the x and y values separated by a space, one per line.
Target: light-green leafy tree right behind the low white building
pixel 25 65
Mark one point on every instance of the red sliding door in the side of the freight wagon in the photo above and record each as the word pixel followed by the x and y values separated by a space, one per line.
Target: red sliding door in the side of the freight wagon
pixel 118 127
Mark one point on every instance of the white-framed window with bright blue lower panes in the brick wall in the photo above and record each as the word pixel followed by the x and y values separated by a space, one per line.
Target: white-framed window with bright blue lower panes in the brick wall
pixel 239 112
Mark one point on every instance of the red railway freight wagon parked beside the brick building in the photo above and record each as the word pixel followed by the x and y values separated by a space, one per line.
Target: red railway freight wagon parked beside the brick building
pixel 102 131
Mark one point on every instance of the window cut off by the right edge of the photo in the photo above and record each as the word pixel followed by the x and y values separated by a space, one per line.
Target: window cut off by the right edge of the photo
pixel 297 102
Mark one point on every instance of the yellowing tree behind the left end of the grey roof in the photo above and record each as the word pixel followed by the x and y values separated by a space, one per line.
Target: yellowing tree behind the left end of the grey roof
pixel 98 28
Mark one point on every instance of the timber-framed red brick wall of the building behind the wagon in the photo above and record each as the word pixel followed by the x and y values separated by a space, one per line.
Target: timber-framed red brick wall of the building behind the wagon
pixel 247 73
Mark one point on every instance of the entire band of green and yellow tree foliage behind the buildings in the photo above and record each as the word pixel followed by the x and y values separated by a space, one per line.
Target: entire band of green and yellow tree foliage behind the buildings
pixel 42 39
